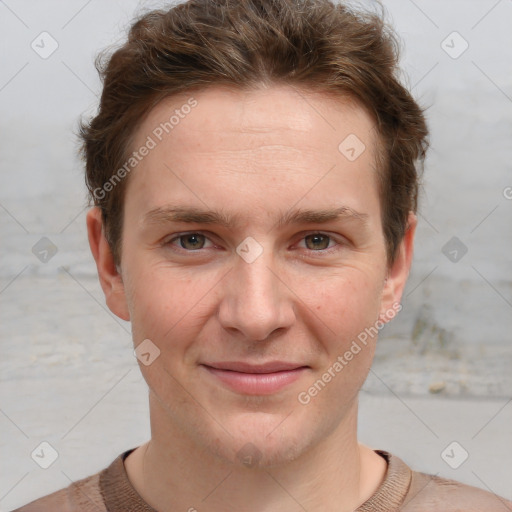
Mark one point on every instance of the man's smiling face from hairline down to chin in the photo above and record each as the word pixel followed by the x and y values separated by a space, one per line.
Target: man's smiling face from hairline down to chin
pixel 253 259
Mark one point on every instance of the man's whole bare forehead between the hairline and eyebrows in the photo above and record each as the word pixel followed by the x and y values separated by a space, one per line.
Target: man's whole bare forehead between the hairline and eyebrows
pixel 208 143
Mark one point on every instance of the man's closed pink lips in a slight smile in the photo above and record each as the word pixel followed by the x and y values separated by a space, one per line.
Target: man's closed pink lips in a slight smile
pixel 249 379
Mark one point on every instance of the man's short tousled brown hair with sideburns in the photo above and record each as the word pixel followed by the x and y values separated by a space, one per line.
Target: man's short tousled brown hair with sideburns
pixel 316 44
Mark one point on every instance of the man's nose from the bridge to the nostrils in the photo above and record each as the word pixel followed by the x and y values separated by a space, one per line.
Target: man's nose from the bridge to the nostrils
pixel 256 301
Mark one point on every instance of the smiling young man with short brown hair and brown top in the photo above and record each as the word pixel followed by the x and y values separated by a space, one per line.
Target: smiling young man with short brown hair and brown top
pixel 253 170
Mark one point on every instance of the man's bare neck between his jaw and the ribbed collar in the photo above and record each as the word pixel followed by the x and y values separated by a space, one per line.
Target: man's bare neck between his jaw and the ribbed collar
pixel 171 473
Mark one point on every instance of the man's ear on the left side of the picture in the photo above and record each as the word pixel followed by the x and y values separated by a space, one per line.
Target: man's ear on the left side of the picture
pixel 110 279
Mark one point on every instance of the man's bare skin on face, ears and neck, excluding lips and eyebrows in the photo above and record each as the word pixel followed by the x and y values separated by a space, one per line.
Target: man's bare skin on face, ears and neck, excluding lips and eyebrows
pixel 255 155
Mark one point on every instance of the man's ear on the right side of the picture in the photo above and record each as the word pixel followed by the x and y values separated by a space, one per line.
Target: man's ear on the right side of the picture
pixel 398 272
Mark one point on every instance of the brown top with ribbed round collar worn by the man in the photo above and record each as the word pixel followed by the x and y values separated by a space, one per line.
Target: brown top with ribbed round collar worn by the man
pixel 402 489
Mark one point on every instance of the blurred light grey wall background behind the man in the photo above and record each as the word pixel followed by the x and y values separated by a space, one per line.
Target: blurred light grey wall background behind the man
pixel 443 368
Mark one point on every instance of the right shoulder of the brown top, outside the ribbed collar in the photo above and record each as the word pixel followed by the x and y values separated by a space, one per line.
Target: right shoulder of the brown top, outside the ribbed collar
pixel 429 492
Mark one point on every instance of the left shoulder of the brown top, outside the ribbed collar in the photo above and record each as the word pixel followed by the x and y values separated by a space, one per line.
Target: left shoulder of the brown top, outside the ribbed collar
pixel 81 496
